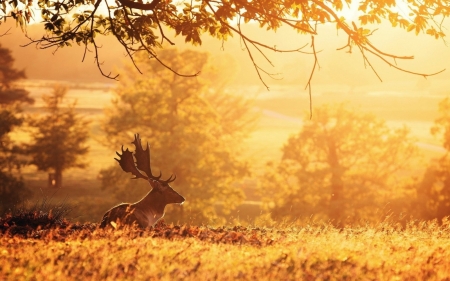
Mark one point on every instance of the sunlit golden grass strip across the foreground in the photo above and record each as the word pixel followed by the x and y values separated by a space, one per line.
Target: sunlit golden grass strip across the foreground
pixel 419 251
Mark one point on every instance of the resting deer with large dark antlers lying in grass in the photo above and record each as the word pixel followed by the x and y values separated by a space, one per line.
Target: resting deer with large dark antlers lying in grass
pixel 150 209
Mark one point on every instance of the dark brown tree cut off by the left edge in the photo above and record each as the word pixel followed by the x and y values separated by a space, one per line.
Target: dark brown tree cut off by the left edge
pixel 12 187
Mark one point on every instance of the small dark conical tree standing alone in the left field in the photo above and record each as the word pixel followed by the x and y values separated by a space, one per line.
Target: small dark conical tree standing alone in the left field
pixel 59 140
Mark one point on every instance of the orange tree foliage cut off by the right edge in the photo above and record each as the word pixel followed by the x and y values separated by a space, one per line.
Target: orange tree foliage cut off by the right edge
pixel 435 187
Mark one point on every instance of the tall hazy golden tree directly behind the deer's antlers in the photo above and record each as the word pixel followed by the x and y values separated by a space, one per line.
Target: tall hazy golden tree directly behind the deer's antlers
pixel 193 132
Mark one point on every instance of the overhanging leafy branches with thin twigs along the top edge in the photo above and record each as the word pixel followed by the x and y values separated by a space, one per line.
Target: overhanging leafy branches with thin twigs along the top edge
pixel 140 26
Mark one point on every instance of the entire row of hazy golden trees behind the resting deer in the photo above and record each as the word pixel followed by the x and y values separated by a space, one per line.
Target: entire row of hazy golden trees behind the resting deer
pixel 343 165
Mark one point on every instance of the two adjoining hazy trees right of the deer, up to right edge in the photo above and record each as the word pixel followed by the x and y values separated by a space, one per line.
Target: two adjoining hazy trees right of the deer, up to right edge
pixel 345 167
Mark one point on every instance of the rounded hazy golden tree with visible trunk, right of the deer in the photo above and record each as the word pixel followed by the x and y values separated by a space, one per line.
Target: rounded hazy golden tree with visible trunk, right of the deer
pixel 341 165
